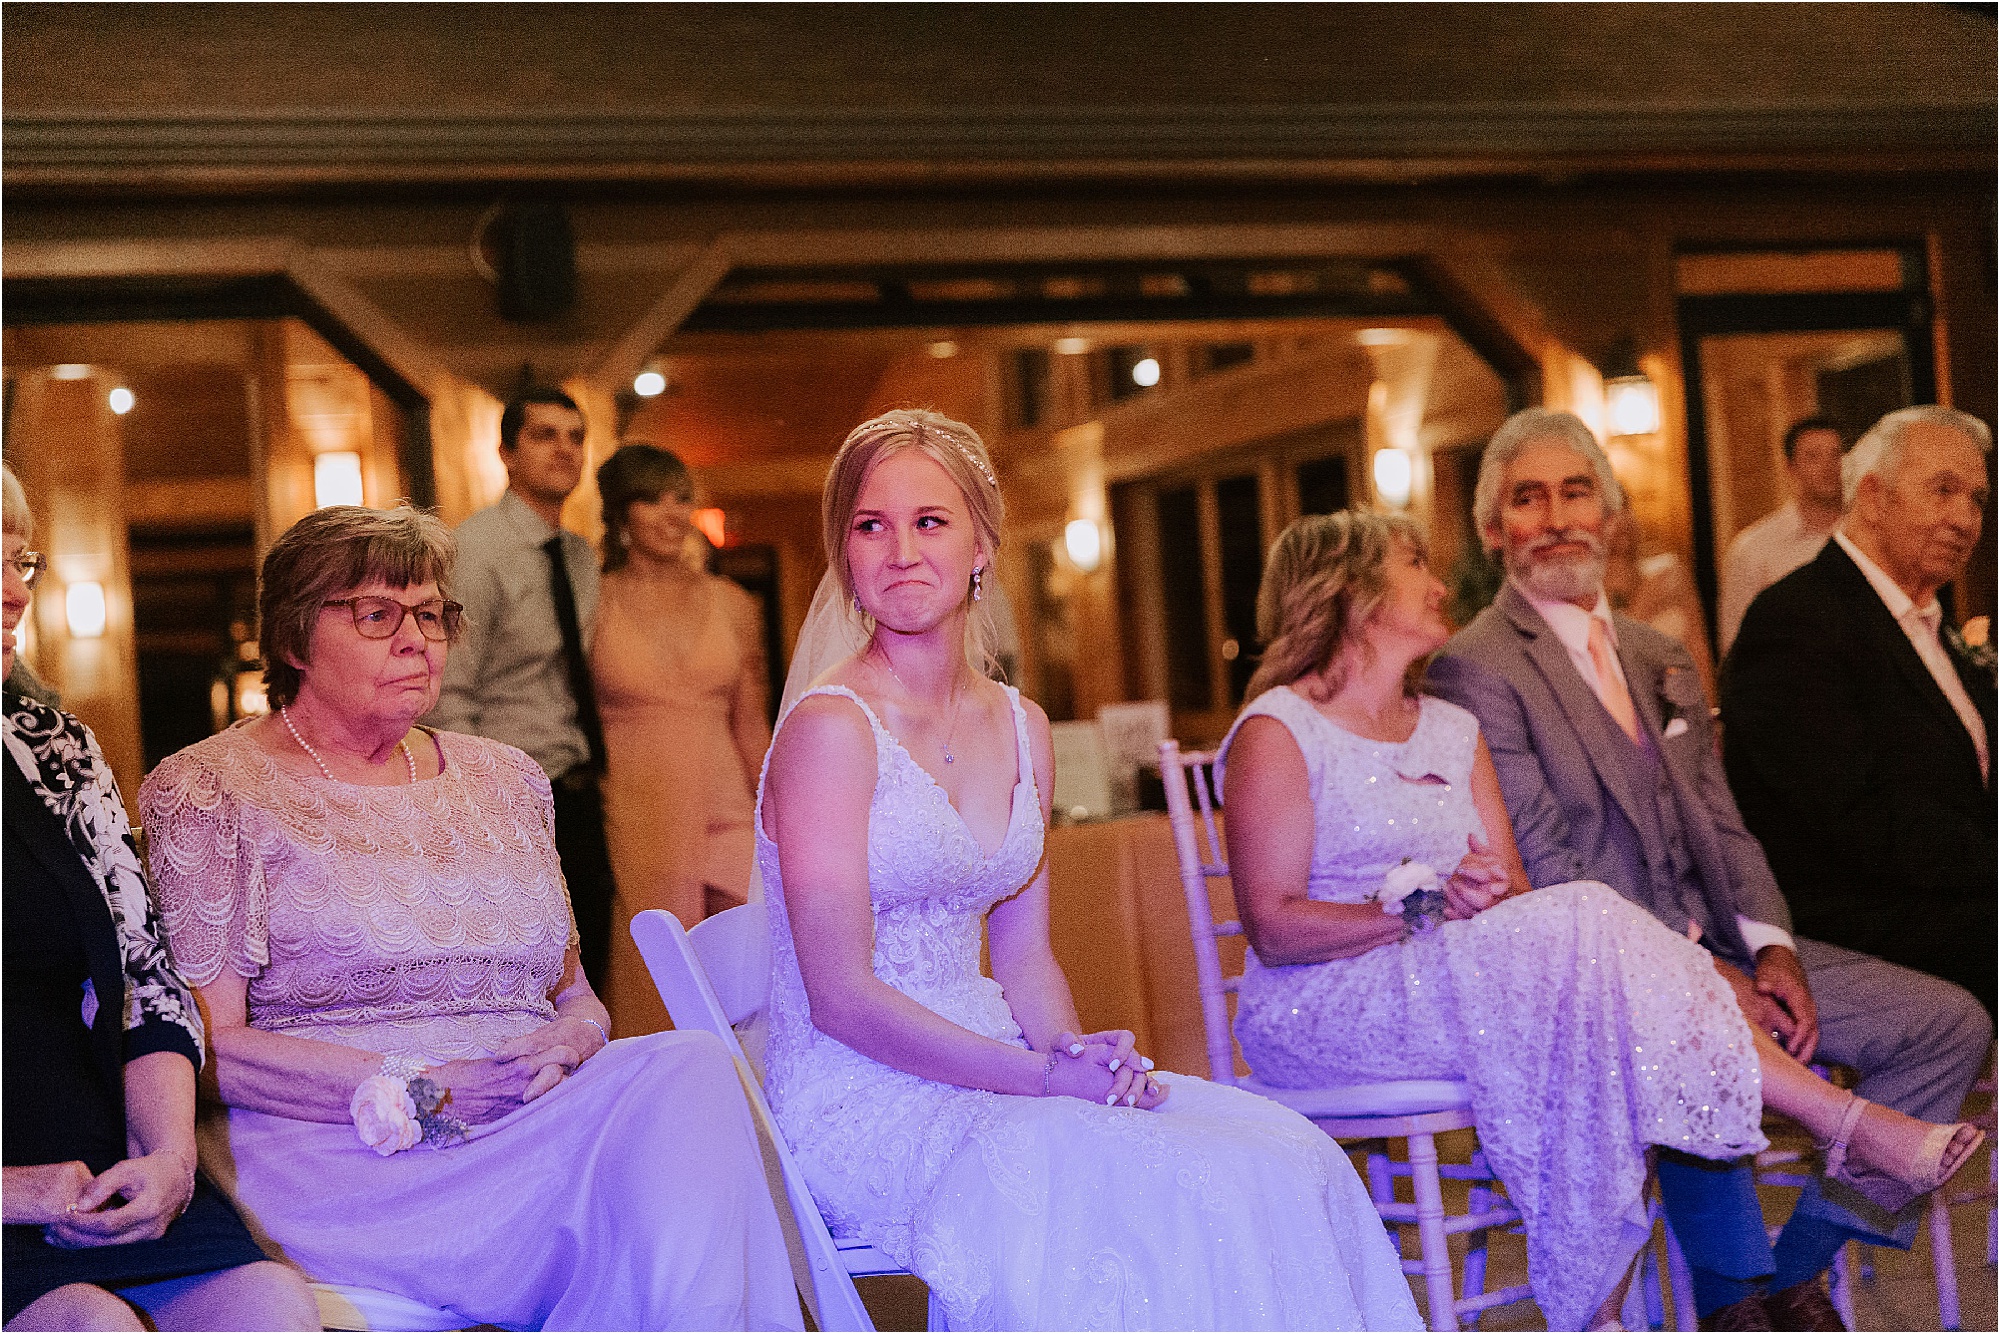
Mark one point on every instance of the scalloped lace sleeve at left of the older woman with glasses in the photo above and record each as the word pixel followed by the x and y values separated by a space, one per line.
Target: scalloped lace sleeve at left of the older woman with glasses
pixel 211 885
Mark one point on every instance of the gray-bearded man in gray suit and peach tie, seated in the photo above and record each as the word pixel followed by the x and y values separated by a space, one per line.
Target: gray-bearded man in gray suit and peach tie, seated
pixel 1605 749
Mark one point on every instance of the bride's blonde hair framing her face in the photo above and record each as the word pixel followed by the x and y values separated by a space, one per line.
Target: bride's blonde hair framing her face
pixel 963 455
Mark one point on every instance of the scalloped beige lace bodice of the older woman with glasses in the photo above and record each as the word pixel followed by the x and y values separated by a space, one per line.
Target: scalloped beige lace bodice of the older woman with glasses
pixel 425 919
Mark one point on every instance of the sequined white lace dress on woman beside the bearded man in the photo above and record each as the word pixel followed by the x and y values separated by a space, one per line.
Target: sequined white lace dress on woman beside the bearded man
pixel 1585 1029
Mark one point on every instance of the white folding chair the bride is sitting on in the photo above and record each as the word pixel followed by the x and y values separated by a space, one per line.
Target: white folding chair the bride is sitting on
pixel 715 979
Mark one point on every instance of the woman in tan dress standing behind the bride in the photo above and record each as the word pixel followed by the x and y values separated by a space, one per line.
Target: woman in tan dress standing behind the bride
pixel 679 669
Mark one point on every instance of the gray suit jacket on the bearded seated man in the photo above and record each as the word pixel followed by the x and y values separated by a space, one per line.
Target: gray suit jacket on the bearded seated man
pixel 1573 787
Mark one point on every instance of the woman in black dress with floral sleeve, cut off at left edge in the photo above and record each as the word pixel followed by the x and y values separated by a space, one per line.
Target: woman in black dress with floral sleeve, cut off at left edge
pixel 105 1211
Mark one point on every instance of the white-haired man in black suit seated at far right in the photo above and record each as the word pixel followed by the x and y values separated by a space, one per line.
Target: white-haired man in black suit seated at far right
pixel 1859 737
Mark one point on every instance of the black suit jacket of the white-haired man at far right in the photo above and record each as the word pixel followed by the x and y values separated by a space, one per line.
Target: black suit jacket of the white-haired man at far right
pixel 1859 779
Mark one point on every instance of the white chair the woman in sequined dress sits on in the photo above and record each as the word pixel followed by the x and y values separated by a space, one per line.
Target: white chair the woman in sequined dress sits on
pixel 1413 1111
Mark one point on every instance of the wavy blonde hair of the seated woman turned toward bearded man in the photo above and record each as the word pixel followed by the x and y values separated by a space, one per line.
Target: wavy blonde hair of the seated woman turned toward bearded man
pixel 1323 581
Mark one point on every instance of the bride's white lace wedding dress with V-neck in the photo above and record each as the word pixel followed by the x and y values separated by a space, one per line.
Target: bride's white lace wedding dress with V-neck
pixel 1219 1211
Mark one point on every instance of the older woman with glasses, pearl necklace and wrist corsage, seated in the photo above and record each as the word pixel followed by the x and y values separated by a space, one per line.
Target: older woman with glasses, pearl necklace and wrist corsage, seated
pixel 419 1085
